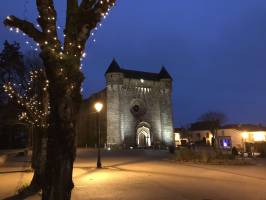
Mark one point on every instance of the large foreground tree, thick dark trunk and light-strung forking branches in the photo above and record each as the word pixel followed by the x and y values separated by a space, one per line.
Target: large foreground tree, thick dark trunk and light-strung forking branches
pixel 62 66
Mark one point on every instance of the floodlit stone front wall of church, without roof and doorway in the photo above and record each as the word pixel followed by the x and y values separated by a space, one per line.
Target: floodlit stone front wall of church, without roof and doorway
pixel 156 99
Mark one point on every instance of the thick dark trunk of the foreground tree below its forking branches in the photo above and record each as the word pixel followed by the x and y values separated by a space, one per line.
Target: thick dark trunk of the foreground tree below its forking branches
pixel 61 149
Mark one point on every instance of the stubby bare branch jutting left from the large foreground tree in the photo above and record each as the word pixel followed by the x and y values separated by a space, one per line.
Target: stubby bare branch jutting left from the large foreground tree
pixel 26 27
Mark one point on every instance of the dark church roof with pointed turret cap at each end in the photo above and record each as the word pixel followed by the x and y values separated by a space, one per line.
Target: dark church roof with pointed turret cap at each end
pixel 114 67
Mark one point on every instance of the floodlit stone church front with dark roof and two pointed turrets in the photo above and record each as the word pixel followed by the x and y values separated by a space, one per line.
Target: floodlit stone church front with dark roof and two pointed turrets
pixel 139 107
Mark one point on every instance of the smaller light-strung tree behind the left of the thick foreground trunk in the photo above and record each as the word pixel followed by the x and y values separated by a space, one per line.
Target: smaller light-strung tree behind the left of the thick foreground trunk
pixel 34 103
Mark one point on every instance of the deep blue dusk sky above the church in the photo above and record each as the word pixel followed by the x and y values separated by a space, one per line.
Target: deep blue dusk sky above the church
pixel 215 51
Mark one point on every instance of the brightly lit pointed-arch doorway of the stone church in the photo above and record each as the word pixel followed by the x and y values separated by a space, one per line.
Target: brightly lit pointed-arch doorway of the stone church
pixel 143 136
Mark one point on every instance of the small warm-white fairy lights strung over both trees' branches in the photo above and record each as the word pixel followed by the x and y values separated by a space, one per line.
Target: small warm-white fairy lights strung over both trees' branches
pixel 54 48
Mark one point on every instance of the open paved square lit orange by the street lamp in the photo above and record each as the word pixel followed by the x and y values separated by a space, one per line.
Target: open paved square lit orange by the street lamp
pixel 149 175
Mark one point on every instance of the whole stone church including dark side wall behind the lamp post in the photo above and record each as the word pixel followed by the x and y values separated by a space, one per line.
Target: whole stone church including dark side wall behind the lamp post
pixel 137 110
